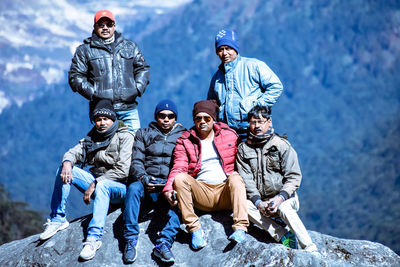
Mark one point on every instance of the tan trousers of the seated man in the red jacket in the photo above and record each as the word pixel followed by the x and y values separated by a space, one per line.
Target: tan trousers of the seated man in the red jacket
pixel 226 196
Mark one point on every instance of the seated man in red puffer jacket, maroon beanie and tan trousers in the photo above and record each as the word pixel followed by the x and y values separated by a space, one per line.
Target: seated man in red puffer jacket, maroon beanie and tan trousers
pixel 203 174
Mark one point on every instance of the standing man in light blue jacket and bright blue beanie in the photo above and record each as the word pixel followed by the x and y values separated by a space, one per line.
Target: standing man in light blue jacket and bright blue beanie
pixel 240 83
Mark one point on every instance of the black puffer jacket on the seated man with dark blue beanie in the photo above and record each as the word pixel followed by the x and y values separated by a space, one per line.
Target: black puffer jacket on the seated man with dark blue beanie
pixel 152 151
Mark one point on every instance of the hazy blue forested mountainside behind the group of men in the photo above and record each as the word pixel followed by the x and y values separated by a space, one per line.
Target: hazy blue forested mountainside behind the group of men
pixel 339 63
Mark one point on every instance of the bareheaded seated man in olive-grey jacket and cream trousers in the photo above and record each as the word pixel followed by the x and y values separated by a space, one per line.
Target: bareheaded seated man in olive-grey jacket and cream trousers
pixel 271 172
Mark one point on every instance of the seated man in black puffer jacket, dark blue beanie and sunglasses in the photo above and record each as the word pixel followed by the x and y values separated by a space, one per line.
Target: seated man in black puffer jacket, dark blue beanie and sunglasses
pixel 151 156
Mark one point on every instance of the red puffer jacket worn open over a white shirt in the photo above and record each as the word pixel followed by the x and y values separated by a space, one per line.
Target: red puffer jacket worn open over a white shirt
pixel 187 153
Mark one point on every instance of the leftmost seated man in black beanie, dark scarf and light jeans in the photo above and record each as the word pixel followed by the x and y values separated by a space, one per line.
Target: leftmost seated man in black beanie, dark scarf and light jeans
pixel 108 147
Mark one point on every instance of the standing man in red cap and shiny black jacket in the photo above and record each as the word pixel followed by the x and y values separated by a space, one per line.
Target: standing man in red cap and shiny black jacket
pixel 108 66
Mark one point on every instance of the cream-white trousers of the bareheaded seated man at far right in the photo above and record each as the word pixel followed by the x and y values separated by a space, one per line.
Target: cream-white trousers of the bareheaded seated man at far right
pixel 287 211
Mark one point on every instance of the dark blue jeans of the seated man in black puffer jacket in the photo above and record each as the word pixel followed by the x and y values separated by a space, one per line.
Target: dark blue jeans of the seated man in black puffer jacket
pixel 135 195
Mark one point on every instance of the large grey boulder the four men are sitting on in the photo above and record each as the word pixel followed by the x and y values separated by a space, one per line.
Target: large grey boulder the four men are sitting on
pixel 258 249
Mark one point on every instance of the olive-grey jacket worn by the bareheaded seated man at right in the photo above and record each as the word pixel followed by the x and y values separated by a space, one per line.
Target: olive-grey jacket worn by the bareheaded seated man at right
pixel 269 169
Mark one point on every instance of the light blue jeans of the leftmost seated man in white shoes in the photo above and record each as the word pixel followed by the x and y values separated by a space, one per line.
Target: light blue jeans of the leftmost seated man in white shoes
pixel 106 191
